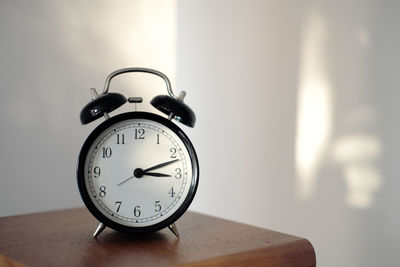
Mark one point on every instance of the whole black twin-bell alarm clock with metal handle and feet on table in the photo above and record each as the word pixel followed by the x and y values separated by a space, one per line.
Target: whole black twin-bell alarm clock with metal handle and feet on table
pixel 137 171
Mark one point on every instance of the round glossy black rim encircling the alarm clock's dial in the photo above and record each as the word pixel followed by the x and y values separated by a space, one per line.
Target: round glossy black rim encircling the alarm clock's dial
pixel 81 173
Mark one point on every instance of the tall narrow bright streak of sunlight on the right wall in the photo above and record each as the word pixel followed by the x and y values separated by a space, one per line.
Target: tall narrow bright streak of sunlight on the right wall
pixel 314 108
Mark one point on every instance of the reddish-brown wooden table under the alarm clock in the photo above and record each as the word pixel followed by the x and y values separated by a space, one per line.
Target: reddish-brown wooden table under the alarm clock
pixel 64 238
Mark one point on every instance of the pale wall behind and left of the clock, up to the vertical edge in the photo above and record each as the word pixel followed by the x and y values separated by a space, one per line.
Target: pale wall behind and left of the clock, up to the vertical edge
pixel 51 53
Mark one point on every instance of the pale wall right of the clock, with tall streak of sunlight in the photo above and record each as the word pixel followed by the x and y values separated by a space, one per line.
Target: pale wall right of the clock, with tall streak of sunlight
pixel 297 105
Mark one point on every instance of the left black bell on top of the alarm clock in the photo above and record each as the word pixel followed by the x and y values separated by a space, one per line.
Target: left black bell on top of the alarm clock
pixel 102 104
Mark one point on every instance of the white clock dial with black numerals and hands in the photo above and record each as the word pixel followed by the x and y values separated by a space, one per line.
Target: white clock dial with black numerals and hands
pixel 138 172
